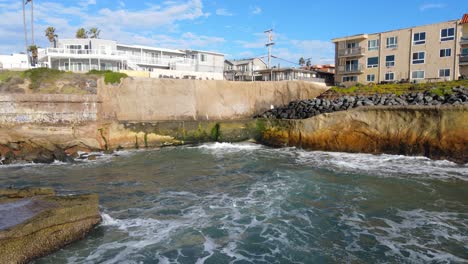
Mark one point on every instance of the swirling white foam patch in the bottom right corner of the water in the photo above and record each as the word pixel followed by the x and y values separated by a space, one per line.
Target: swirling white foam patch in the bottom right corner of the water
pixel 419 233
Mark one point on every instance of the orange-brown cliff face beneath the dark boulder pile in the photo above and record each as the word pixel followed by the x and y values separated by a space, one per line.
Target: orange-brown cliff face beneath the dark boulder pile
pixel 435 132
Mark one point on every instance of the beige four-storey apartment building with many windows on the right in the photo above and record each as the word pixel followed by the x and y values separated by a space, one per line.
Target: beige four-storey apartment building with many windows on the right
pixel 435 52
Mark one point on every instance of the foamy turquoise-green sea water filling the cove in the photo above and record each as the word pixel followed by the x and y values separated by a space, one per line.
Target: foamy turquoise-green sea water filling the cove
pixel 245 203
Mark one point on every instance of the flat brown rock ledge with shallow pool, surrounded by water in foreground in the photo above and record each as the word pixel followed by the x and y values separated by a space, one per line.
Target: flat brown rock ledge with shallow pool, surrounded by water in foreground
pixel 36 222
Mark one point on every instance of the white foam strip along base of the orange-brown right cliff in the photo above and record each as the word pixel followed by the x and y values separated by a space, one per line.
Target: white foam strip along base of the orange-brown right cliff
pixel 385 165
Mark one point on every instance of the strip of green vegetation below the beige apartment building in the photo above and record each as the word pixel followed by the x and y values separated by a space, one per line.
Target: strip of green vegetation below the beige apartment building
pixel 439 88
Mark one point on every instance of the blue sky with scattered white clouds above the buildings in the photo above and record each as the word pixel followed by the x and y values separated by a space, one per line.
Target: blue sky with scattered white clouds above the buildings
pixel 302 28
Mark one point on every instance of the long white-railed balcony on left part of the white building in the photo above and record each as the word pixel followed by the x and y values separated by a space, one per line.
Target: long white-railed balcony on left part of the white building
pixel 83 53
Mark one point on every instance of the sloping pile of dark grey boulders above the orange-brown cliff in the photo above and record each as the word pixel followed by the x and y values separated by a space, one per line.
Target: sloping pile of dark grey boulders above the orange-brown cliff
pixel 308 108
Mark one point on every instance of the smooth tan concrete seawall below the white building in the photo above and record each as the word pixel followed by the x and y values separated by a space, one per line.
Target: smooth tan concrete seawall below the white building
pixel 143 99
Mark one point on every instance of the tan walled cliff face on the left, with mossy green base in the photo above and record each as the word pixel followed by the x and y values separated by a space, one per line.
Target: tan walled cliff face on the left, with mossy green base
pixel 137 113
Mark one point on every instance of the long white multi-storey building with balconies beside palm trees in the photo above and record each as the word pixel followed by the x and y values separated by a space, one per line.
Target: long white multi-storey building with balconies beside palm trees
pixel 82 55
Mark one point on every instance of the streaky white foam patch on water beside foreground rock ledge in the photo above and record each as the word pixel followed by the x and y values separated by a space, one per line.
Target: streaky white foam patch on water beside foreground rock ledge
pixel 233 214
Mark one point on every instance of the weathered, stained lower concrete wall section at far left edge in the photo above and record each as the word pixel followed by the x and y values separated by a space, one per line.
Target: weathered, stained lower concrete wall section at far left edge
pixel 47 108
